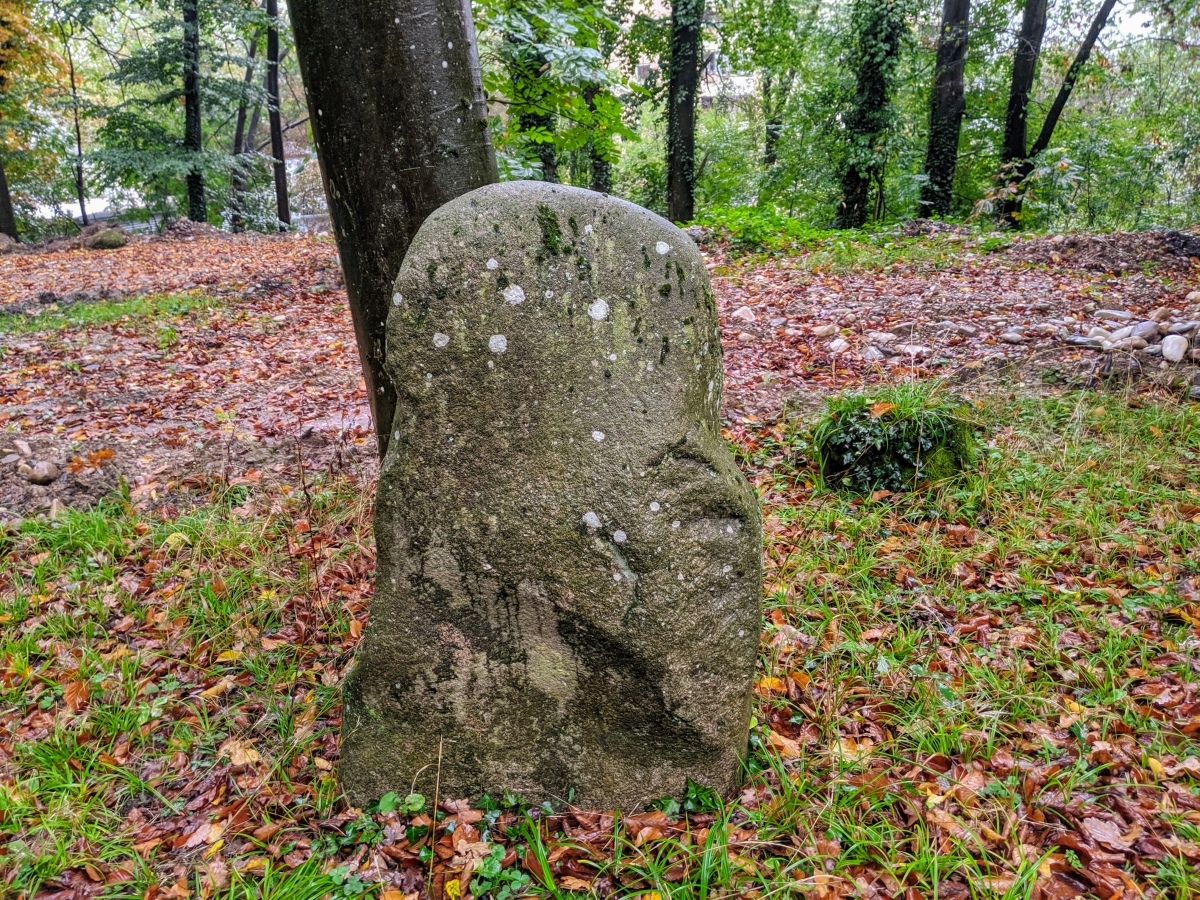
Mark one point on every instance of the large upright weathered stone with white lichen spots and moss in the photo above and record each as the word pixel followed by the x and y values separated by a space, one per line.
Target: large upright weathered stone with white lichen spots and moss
pixel 568 589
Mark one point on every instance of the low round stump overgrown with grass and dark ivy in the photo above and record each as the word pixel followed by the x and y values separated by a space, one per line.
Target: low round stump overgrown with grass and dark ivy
pixel 895 440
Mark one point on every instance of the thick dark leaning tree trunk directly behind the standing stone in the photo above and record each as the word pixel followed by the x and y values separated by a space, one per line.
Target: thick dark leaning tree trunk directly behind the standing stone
pixel 400 124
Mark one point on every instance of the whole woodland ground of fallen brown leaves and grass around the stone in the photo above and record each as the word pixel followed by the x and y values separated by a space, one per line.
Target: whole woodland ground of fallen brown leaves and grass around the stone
pixel 988 691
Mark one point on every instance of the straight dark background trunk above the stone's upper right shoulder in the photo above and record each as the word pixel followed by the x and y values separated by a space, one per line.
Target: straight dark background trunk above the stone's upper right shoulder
pixel 687 19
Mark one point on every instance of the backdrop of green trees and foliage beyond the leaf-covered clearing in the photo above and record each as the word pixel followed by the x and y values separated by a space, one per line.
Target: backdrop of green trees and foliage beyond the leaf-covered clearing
pixel 811 115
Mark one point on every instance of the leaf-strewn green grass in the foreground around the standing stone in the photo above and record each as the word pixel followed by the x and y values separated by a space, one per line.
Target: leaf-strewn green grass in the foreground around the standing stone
pixel 943 676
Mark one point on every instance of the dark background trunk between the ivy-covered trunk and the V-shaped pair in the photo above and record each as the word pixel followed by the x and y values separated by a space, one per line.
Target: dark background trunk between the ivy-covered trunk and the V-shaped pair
pixel 946 110
